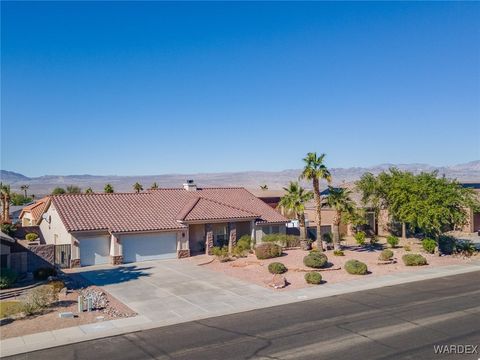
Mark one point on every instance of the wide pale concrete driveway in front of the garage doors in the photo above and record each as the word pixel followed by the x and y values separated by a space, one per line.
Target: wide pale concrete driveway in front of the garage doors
pixel 169 290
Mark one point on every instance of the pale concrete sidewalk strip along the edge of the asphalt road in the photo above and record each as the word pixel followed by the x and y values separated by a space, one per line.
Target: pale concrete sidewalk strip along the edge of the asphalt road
pixel 116 327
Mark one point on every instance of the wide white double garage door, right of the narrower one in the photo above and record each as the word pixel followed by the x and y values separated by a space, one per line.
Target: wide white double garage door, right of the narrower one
pixel 143 247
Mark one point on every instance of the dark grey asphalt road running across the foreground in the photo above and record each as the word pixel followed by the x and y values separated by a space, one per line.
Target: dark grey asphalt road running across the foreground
pixel 397 322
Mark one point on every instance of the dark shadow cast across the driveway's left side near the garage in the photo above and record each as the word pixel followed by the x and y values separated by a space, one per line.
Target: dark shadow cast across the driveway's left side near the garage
pixel 110 276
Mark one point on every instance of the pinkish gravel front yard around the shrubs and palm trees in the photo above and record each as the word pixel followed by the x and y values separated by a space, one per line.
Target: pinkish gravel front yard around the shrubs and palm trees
pixel 256 271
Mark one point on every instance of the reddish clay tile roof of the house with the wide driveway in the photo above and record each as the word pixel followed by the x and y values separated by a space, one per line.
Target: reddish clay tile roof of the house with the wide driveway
pixel 161 209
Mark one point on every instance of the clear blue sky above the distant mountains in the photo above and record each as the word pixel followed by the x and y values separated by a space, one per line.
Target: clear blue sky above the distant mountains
pixel 151 88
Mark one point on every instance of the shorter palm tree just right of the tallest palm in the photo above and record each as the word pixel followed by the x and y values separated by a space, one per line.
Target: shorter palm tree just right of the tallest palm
pixel 339 200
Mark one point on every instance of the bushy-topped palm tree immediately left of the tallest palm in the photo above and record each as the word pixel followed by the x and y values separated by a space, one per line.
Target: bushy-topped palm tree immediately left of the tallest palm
pixel 294 199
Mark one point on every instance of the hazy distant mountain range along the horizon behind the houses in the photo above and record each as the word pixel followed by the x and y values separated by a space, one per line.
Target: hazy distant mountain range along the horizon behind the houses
pixel 468 172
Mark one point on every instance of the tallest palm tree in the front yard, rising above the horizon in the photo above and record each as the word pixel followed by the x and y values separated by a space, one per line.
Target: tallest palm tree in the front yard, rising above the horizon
pixel 315 171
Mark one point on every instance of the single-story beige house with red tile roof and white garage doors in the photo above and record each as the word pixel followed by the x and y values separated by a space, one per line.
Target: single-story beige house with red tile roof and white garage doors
pixel 157 224
